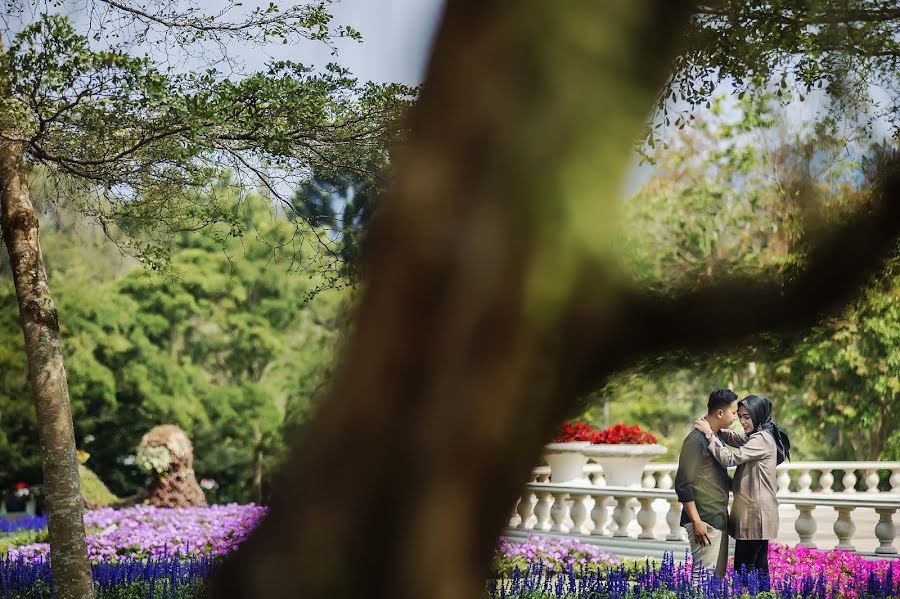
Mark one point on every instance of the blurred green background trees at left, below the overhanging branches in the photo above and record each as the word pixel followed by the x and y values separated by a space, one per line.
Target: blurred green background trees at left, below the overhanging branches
pixel 226 346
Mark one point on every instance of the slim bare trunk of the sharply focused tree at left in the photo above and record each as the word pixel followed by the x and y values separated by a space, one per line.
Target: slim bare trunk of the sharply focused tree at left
pixel 47 376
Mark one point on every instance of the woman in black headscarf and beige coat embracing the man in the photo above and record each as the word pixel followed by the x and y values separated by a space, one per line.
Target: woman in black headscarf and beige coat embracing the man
pixel 754 513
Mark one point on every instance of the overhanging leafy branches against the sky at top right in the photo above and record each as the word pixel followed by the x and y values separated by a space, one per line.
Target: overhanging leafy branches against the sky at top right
pixel 835 50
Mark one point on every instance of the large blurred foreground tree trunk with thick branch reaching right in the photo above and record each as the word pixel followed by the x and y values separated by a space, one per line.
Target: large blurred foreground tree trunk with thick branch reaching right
pixel 492 303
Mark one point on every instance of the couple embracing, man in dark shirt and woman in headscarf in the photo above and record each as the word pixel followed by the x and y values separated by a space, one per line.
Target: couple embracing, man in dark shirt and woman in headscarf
pixel 702 483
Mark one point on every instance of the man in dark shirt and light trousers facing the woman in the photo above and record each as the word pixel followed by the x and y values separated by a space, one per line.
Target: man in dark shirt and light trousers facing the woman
pixel 702 485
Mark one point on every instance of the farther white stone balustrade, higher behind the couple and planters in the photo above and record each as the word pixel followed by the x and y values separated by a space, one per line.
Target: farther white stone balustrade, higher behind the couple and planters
pixel 792 477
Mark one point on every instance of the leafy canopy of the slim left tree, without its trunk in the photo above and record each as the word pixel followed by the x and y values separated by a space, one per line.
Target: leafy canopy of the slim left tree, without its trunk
pixel 140 148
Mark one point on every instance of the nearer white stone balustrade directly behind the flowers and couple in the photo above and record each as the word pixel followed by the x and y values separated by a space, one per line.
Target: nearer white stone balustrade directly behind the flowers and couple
pixel 632 527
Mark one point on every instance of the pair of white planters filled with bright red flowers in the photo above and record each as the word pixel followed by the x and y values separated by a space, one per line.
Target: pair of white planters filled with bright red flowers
pixel 622 451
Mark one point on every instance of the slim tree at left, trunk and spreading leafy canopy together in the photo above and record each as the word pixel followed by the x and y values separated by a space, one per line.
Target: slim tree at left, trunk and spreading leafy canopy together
pixel 139 147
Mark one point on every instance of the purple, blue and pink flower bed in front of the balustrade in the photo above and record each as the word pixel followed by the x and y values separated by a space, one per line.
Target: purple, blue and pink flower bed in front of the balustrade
pixel 547 567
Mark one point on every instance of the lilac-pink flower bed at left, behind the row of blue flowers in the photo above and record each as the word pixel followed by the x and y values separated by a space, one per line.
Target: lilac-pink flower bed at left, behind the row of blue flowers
pixel 150 532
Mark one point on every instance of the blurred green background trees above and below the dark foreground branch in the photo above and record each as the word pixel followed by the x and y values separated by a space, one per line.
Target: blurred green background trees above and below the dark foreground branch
pixel 728 199
